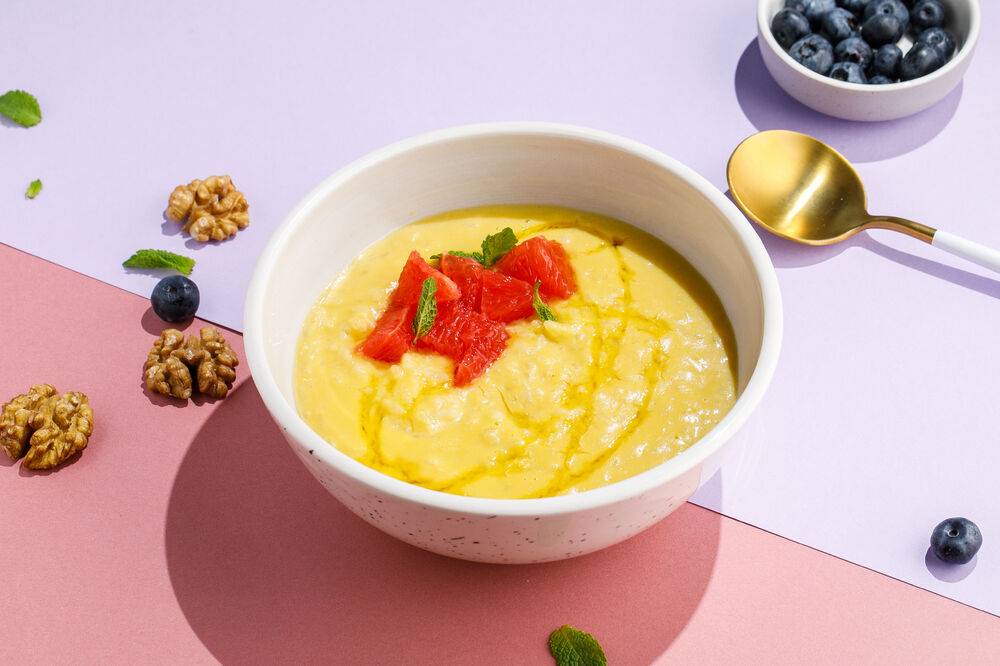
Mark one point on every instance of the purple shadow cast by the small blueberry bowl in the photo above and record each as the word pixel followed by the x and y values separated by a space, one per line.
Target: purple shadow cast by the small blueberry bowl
pixel 767 107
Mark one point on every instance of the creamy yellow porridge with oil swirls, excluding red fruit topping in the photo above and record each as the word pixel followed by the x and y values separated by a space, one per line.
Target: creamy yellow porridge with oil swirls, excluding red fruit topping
pixel 638 366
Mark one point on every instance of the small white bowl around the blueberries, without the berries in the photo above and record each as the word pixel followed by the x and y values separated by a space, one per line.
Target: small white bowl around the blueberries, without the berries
pixel 853 101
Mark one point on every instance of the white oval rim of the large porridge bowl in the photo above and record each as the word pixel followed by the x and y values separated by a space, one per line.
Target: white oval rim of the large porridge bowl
pixel 285 414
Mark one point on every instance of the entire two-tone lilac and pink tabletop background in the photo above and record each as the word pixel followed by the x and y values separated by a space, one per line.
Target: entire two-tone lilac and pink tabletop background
pixel 187 534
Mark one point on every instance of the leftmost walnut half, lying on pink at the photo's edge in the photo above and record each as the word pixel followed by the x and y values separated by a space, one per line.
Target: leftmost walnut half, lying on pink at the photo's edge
pixel 53 427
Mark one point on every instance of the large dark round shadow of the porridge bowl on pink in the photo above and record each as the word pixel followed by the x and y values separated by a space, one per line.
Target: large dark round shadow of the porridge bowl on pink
pixel 268 567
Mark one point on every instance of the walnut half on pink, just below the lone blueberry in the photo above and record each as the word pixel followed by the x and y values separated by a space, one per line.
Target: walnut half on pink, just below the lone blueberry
pixel 172 360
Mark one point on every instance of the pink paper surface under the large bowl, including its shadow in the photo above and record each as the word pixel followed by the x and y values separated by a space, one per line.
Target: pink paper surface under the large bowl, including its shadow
pixel 191 534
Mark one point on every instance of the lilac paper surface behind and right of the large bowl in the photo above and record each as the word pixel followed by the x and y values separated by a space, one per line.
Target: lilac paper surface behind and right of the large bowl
pixel 879 422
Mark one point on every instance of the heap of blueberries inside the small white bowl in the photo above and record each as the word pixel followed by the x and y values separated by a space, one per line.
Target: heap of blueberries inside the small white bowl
pixel 857 40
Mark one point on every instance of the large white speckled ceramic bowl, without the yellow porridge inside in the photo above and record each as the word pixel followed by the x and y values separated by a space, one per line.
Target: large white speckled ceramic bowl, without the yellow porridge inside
pixel 492 164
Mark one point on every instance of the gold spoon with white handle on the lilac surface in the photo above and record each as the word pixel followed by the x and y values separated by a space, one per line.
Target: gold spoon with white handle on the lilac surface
pixel 804 190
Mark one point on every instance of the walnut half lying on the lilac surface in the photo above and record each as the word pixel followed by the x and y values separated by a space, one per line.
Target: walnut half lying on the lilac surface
pixel 214 208
